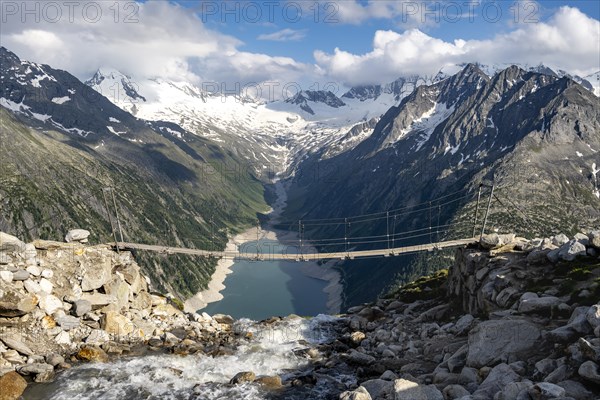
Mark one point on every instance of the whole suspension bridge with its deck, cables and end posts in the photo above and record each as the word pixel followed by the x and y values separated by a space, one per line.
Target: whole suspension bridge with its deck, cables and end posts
pixel 427 233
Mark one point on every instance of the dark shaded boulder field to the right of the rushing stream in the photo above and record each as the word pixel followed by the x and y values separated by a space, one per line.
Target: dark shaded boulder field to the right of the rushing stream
pixel 513 322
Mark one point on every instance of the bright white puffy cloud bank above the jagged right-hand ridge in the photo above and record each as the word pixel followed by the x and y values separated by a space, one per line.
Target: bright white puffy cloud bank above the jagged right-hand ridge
pixel 568 40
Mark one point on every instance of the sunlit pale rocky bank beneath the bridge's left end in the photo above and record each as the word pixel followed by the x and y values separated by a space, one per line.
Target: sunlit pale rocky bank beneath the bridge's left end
pixel 69 301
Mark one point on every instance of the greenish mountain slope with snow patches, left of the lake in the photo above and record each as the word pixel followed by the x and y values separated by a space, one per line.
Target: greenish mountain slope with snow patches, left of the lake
pixel 62 143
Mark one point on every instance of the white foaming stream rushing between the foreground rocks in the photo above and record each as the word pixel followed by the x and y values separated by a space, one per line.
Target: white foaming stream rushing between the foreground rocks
pixel 172 377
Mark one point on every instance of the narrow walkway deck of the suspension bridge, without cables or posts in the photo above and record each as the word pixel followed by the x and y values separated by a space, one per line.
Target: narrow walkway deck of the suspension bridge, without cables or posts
pixel 295 256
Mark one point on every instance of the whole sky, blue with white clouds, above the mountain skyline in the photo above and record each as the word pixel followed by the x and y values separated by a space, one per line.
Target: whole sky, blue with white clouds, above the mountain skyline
pixel 348 42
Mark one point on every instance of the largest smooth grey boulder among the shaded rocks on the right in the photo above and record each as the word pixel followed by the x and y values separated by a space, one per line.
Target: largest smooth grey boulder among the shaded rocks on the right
pixel 496 341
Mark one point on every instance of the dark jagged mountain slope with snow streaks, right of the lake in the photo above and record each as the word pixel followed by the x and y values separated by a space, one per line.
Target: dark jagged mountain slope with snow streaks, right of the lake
pixel 535 136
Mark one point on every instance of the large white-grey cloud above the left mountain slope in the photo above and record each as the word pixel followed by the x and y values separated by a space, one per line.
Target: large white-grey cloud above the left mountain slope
pixel 155 38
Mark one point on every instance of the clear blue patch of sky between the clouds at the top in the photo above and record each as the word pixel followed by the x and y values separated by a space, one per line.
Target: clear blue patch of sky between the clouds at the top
pixel 322 25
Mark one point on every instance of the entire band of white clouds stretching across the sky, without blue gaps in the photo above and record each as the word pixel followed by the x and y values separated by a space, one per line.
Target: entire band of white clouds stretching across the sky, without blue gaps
pixel 169 41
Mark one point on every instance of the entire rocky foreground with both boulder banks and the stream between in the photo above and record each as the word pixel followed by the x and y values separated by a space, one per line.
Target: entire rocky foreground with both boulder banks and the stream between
pixel 510 319
